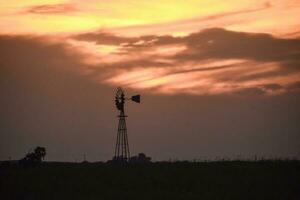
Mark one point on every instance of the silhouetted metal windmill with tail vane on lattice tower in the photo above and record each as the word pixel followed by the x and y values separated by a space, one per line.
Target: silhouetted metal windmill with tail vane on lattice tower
pixel 122 152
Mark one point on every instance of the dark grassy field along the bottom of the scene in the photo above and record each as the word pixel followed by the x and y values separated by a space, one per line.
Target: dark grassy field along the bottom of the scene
pixel 180 180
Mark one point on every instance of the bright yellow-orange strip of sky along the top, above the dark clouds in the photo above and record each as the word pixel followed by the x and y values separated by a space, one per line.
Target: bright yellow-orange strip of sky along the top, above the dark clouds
pixel 138 16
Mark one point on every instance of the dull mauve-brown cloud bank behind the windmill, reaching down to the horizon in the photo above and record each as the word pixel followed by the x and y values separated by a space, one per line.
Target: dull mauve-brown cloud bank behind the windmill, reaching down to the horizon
pixel 44 102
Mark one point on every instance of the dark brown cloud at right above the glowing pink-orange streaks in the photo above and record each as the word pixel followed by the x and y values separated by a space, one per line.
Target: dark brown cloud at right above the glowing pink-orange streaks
pixel 209 44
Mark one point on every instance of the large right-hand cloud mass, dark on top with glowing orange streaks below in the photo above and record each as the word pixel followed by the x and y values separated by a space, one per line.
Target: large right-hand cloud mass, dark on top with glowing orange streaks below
pixel 213 61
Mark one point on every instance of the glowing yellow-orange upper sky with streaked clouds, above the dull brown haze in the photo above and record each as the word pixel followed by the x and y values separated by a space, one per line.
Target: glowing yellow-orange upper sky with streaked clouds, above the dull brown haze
pixel 170 46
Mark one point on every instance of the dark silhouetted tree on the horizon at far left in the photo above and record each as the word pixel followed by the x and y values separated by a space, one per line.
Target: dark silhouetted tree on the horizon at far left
pixel 35 157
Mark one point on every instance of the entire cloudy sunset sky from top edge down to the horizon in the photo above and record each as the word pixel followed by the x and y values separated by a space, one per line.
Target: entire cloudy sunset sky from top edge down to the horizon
pixel 217 78
